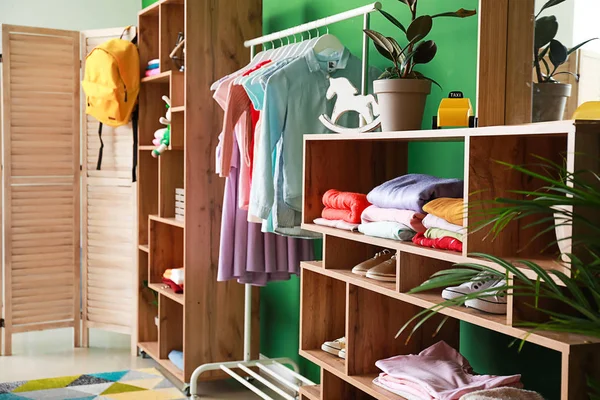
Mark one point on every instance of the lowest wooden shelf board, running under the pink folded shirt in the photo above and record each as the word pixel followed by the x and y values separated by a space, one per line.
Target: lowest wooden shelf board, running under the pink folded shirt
pixel 335 366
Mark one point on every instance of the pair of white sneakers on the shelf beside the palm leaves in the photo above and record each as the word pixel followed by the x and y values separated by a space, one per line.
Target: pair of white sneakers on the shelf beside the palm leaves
pixel 494 301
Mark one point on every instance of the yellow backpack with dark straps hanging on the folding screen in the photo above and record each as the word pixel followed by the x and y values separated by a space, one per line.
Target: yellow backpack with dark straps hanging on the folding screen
pixel 111 84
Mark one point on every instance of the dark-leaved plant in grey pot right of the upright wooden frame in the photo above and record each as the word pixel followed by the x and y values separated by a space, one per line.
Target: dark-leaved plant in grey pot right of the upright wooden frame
pixel 549 95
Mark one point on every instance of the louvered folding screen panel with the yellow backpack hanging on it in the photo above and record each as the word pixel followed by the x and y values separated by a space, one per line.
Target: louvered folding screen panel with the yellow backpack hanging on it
pixel 109 269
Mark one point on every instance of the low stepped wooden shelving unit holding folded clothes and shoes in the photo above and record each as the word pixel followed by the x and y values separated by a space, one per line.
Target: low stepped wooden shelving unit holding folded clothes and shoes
pixel 336 303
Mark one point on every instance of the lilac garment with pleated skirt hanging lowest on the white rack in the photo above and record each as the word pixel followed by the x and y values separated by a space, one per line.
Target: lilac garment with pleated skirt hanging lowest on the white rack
pixel 246 253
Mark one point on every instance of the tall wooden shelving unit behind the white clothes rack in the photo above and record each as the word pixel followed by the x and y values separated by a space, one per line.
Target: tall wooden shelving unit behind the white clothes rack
pixel 206 322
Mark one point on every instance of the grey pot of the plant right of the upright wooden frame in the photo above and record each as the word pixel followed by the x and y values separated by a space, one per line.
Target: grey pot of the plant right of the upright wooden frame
pixel 550 101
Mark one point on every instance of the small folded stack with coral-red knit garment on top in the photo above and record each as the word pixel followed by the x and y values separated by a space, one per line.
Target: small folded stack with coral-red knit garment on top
pixel 342 209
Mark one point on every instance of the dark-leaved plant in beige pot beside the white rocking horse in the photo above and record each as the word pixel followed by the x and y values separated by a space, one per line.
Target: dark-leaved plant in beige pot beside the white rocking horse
pixel 401 90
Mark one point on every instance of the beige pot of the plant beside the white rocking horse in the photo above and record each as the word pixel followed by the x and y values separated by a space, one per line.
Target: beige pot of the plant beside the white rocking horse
pixel 401 103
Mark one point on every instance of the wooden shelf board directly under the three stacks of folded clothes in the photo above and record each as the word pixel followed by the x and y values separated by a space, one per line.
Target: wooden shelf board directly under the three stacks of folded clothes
pixel 444 255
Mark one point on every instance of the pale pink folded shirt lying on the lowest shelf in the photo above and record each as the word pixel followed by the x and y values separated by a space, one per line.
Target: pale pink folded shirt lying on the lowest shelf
pixel 438 372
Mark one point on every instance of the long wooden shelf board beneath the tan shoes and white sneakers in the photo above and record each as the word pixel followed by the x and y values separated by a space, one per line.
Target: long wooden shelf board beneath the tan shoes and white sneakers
pixel 552 340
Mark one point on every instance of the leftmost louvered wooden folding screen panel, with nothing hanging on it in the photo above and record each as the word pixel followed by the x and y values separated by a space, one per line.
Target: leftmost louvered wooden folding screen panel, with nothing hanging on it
pixel 41 179
